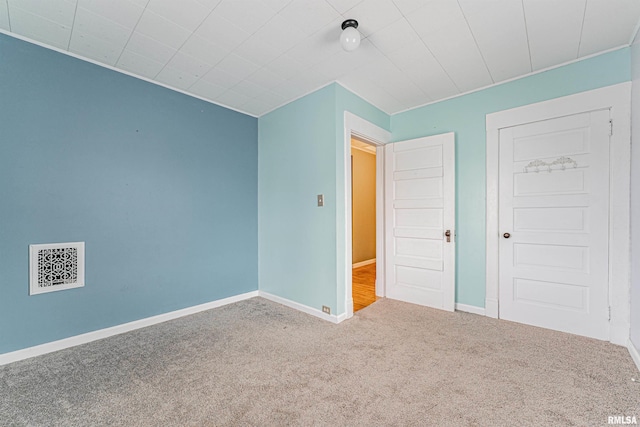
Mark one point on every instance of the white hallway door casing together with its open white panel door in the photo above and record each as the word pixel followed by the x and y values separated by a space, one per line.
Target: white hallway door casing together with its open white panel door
pixel 415 217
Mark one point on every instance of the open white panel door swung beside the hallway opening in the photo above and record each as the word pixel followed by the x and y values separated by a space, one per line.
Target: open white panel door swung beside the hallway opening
pixel 419 211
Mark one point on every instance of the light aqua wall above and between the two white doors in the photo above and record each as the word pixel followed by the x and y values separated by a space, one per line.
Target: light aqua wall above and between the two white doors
pixel 465 115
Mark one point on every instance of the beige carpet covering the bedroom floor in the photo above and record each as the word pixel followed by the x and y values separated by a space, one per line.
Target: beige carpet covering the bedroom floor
pixel 257 363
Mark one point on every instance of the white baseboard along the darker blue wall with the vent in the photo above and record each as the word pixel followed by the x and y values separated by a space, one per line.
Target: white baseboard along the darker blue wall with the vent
pixel 50 347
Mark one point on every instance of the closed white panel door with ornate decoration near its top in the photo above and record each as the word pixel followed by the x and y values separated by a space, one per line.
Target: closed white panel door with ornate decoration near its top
pixel 554 224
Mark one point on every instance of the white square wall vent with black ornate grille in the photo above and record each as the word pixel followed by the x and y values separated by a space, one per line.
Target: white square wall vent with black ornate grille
pixel 55 267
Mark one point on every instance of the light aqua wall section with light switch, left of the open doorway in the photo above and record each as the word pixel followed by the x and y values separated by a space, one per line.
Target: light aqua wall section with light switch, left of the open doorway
pixel 301 155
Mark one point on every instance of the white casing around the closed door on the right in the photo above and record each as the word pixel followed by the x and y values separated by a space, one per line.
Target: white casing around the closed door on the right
pixel 617 99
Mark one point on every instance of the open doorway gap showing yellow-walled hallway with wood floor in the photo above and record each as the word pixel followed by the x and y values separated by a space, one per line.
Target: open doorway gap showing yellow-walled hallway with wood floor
pixel 363 223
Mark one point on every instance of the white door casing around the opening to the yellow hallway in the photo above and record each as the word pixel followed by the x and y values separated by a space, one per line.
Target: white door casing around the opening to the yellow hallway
pixel 378 137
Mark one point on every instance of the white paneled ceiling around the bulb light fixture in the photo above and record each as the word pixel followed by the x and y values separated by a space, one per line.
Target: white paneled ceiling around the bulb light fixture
pixel 256 55
